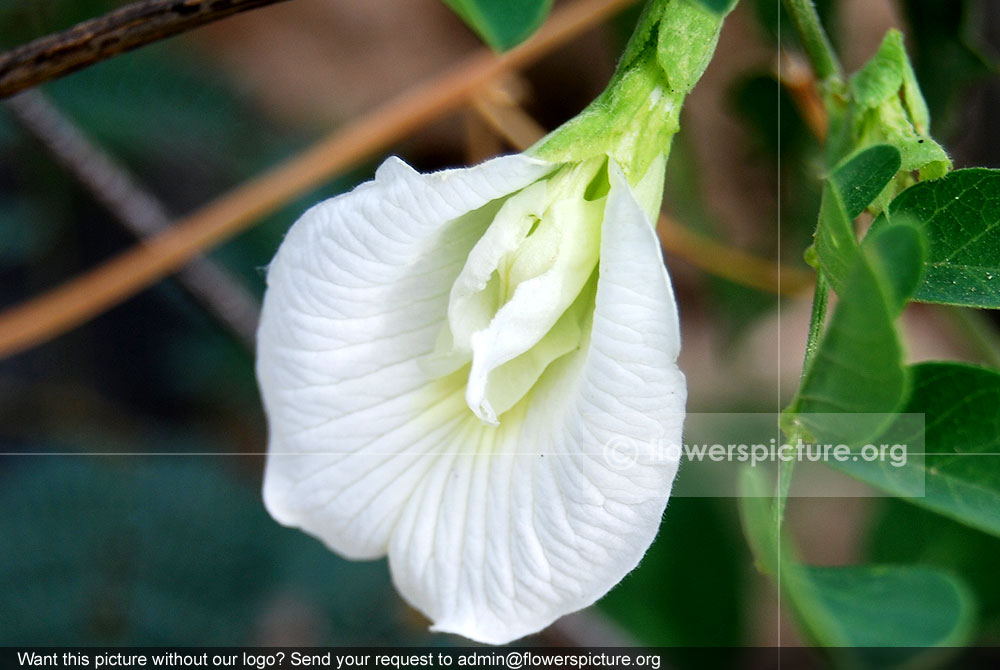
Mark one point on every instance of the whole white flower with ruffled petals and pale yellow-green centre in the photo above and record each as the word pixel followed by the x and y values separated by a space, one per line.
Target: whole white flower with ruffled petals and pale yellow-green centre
pixel 445 360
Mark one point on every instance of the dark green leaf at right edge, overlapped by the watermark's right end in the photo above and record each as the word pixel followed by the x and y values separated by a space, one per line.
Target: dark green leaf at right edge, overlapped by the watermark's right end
pixel 960 473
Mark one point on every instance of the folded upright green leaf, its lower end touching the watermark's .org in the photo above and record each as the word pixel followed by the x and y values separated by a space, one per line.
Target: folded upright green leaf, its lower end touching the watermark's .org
pixel 858 368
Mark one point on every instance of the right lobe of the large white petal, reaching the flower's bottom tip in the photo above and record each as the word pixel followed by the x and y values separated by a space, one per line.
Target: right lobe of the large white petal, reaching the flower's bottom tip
pixel 533 522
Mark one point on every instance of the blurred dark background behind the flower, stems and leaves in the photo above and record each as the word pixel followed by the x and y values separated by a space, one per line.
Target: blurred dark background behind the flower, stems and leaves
pixel 131 470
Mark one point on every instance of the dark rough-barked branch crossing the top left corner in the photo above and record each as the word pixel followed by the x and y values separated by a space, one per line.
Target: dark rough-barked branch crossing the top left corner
pixel 122 30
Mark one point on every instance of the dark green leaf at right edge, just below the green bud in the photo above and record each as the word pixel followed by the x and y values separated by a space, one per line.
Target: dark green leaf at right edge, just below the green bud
pixel 960 216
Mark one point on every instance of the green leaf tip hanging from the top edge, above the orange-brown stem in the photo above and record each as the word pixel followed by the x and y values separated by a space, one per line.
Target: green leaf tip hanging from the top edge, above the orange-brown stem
pixel 502 23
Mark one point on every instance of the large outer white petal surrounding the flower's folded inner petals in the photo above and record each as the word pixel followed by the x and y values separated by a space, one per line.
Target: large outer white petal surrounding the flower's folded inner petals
pixel 493 532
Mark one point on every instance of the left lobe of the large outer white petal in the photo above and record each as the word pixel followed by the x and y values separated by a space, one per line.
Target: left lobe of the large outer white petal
pixel 356 294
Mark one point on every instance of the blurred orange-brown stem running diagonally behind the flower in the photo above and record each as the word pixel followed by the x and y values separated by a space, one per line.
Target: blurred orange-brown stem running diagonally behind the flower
pixel 96 290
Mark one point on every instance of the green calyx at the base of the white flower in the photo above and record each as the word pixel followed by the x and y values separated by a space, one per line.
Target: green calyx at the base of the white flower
pixel 634 120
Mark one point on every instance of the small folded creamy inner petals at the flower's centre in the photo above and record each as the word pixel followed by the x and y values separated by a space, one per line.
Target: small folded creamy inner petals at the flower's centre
pixel 536 277
